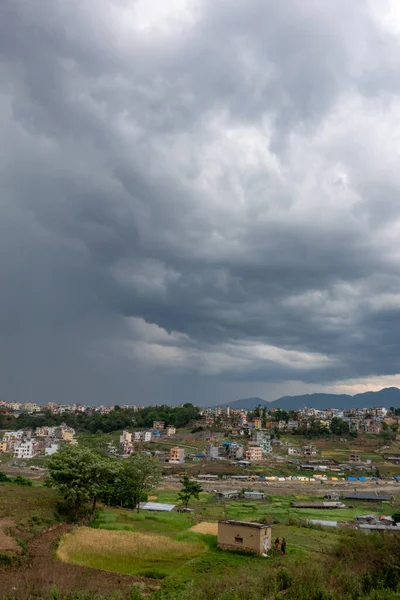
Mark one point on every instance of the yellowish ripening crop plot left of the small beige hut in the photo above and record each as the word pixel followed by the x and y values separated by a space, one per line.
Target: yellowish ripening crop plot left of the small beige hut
pixel 127 552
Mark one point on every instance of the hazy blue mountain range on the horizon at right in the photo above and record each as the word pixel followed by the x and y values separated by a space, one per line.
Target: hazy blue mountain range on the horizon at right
pixel 386 397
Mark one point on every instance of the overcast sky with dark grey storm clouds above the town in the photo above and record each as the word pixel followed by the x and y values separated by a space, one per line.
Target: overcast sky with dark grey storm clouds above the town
pixel 199 200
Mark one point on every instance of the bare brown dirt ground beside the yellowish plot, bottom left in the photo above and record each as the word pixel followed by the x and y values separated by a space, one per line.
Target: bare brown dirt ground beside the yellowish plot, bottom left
pixel 44 571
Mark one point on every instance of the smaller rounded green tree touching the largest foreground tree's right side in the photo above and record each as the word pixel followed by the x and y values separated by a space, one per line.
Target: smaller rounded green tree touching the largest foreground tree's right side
pixel 140 474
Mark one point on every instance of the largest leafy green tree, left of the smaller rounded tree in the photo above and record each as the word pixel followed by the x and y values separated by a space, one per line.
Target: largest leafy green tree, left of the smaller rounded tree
pixel 79 475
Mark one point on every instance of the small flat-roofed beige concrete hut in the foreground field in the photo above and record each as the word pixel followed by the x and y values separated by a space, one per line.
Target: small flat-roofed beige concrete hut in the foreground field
pixel 244 535
